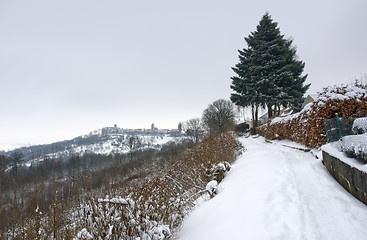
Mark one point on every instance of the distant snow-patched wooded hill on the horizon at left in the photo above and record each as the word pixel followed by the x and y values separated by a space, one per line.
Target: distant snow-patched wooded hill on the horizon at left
pixel 104 141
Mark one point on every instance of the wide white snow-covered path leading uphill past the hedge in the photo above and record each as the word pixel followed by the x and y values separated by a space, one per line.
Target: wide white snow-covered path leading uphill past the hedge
pixel 276 192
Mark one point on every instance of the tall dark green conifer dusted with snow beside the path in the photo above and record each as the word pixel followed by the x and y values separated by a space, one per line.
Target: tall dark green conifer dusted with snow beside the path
pixel 268 72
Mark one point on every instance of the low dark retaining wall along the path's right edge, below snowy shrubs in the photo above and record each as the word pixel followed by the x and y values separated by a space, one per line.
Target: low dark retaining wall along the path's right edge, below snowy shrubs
pixel 351 178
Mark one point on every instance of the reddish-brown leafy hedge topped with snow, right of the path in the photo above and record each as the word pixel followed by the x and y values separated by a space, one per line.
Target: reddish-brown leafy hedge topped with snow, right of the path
pixel 307 127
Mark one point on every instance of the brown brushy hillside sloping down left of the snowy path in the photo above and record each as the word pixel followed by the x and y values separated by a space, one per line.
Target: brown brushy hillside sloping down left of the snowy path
pixel 145 193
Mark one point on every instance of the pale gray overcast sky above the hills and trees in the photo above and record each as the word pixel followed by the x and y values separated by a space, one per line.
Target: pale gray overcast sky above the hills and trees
pixel 72 66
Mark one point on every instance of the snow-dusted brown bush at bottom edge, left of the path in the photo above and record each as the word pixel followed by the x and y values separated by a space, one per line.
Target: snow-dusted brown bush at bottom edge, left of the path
pixel 119 218
